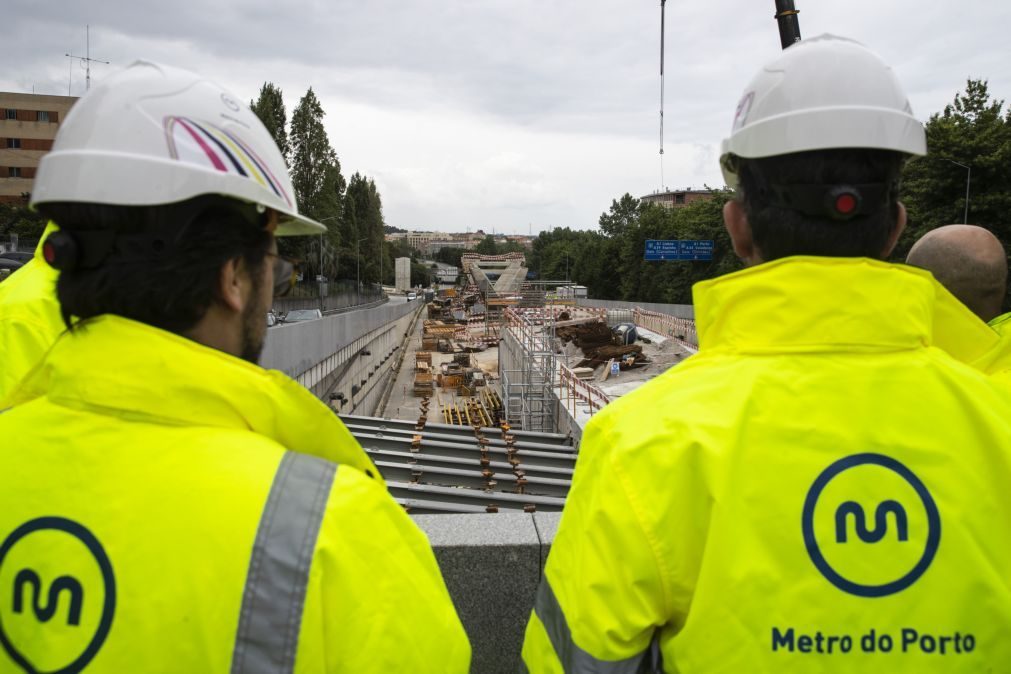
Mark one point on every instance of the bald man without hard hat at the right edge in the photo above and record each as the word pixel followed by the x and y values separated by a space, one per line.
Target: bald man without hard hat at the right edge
pixel 971 262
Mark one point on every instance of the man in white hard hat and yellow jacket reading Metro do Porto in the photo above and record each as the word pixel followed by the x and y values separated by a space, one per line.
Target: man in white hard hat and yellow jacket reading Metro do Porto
pixel 820 489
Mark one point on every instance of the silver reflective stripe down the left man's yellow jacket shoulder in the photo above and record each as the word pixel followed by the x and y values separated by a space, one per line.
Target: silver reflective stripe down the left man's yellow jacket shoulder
pixel 280 567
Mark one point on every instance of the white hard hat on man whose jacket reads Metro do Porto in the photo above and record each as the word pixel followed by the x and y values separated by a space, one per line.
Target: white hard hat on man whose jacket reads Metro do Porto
pixel 822 93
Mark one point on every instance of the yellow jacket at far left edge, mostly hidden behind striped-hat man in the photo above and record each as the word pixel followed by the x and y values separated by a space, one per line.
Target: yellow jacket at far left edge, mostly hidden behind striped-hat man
pixel 30 319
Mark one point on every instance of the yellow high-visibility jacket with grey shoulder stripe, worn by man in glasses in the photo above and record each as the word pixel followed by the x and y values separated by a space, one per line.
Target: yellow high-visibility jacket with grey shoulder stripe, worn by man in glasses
pixel 166 508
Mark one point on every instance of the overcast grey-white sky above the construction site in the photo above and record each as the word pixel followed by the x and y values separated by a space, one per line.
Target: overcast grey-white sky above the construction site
pixel 512 116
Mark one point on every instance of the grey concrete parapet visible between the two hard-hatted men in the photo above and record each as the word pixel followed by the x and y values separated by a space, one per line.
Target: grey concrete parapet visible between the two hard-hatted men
pixel 493 565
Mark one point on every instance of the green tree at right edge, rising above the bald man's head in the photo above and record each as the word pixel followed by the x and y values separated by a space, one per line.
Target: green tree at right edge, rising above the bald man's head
pixel 973 131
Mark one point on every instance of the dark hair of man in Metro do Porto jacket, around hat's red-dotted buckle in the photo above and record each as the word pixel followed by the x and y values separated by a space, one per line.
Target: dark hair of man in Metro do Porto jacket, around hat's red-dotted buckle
pixel 779 232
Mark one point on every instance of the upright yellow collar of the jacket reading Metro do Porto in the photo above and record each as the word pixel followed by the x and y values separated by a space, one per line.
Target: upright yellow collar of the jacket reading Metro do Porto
pixel 809 304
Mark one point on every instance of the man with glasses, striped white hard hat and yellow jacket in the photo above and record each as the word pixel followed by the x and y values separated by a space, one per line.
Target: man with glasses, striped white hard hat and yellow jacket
pixel 165 504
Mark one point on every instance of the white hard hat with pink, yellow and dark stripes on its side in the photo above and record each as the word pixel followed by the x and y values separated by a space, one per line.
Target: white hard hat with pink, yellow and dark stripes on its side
pixel 152 135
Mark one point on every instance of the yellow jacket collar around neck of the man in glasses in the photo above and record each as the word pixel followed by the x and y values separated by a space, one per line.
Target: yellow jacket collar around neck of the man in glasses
pixel 123 368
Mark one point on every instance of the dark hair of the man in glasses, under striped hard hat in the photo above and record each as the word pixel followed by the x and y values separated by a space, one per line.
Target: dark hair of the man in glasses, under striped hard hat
pixel 164 263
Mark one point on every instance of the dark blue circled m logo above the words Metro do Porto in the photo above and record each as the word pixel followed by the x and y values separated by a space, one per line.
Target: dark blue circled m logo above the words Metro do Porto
pixel 852 512
